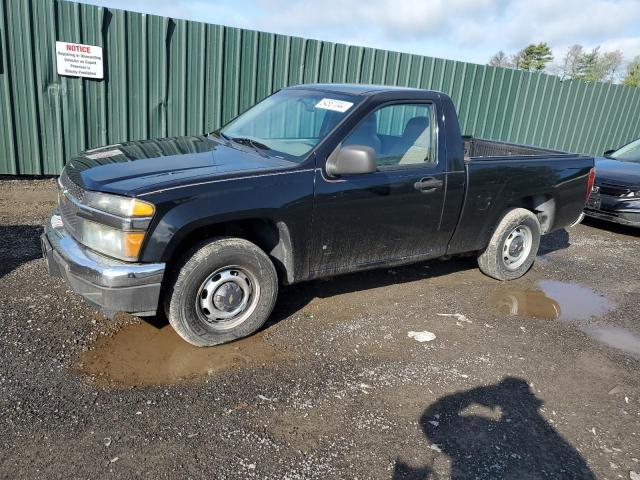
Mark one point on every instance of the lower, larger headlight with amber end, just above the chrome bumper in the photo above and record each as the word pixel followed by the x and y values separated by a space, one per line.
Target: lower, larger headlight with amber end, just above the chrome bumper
pixel 111 241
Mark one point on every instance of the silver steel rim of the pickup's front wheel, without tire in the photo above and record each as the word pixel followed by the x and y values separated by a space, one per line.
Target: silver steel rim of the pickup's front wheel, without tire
pixel 227 297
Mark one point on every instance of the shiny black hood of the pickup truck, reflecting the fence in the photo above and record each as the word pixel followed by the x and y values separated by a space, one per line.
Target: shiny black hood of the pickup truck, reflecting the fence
pixel 134 167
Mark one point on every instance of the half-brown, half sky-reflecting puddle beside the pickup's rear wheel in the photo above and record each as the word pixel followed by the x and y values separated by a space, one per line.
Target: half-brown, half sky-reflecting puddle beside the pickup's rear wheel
pixel 552 300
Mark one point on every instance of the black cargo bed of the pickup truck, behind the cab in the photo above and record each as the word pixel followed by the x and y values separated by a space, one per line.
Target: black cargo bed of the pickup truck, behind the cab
pixel 501 175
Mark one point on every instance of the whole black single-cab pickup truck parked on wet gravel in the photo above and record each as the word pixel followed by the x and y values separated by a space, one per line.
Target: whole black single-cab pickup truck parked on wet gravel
pixel 314 181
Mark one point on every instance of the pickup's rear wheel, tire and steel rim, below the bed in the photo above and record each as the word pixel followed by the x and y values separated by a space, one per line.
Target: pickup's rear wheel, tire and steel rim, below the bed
pixel 496 259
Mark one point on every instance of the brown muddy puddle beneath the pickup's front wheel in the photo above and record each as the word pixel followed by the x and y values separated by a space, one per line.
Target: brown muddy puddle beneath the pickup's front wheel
pixel 142 354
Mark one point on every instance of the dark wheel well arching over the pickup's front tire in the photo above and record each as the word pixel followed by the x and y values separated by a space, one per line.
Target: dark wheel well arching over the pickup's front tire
pixel 272 237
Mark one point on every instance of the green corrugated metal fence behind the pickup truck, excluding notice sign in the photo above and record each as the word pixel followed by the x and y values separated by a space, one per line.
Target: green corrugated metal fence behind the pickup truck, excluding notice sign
pixel 167 77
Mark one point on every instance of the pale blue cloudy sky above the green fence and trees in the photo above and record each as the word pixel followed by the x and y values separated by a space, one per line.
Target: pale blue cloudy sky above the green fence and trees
pixel 466 30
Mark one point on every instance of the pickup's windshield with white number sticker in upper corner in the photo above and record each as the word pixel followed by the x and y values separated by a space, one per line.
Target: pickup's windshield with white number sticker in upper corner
pixel 289 123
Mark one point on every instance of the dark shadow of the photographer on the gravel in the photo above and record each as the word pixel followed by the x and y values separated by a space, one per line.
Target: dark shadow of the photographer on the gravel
pixel 493 432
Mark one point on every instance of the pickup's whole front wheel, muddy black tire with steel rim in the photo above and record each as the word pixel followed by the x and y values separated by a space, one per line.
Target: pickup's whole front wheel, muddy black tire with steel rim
pixel 200 268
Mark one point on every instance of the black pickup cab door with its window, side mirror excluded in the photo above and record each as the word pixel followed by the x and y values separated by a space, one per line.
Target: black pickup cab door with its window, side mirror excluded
pixel 393 214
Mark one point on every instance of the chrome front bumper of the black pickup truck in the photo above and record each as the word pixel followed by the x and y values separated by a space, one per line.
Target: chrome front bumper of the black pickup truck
pixel 111 285
